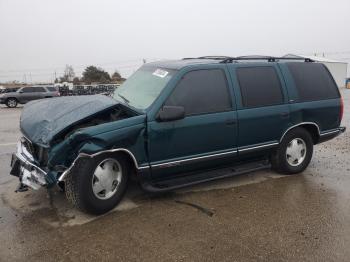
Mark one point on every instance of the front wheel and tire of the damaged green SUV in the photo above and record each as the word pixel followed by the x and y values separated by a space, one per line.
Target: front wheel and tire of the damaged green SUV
pixel 84 189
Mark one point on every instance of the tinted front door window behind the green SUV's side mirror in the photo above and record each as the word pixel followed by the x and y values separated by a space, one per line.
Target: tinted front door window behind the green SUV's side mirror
pixel 202 91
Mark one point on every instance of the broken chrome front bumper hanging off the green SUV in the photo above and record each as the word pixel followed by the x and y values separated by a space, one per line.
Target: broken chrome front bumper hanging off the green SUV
pixel 23 166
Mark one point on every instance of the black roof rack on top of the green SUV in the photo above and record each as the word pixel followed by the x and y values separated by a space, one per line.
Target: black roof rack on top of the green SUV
pixel 228 59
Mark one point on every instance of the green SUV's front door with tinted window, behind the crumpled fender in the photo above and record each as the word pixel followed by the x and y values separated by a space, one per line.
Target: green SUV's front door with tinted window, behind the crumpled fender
pixel 206 137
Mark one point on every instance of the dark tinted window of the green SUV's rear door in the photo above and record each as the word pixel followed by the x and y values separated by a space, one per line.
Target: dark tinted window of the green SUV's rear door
pixel 260 86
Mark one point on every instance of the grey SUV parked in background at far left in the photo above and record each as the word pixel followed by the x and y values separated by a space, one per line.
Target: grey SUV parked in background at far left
pixel 12 98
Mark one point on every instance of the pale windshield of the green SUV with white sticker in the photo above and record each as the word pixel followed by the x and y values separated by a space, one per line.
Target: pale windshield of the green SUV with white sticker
pixel 143 87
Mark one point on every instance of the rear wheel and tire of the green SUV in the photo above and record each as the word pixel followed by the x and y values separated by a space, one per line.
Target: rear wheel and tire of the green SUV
pixel 294 152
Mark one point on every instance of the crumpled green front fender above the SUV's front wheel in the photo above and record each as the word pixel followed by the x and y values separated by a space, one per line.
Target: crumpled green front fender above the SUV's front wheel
pixel 111 137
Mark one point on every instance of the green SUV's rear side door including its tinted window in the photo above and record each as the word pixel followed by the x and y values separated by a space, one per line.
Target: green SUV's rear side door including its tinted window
pixel 263 110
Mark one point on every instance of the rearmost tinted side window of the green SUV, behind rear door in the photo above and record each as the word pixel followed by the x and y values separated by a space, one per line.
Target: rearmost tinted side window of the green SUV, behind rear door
pixel 313 81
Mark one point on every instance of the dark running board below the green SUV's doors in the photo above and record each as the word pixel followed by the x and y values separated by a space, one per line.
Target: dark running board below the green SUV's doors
pixel 206 176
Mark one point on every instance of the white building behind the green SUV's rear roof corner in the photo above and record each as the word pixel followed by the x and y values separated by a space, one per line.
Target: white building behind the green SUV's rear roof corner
pixel 337 68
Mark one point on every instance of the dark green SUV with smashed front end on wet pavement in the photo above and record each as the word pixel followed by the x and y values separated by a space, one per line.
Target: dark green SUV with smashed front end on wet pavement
pixel 179 123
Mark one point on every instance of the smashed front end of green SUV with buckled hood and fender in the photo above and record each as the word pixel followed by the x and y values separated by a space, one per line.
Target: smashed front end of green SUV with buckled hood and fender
pixel 43 159
